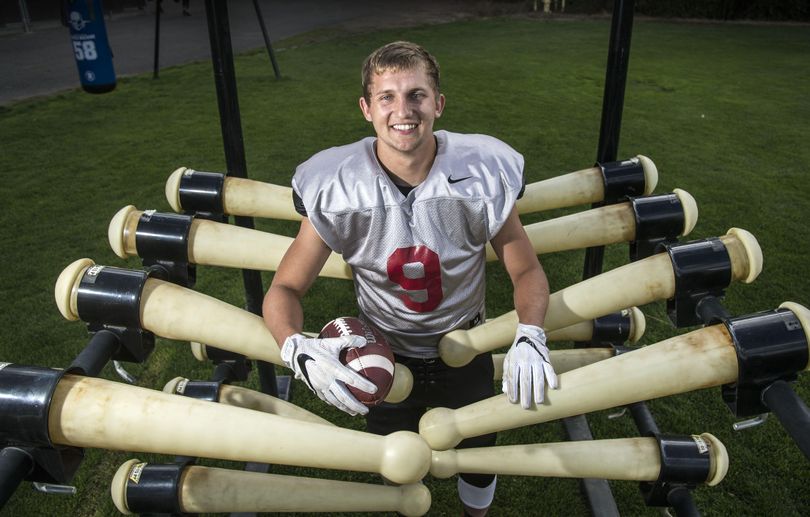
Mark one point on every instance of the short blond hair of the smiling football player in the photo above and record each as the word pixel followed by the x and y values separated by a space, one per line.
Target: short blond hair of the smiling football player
pixel 398 55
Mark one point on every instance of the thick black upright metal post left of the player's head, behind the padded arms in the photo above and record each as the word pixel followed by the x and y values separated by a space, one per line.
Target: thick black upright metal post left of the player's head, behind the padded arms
pixel 230 121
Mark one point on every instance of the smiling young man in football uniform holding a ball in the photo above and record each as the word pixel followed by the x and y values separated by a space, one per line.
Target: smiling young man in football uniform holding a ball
pixel 411 211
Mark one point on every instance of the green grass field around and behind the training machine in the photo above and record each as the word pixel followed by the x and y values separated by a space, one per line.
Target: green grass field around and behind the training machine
pixel 723 110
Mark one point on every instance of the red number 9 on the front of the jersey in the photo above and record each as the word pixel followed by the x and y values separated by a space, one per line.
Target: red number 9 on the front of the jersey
pixel 430 281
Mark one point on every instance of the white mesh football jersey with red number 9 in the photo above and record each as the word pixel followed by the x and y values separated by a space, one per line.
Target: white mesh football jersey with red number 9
pixel 418 261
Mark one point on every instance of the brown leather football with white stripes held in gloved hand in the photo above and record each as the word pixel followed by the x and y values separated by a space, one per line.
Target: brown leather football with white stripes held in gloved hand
pixel 375 361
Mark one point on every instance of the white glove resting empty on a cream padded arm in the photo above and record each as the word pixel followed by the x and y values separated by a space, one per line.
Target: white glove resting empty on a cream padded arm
pixel 527 367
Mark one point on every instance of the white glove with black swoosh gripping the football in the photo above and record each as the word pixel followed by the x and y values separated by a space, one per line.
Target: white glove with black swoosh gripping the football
pixel 317 363
